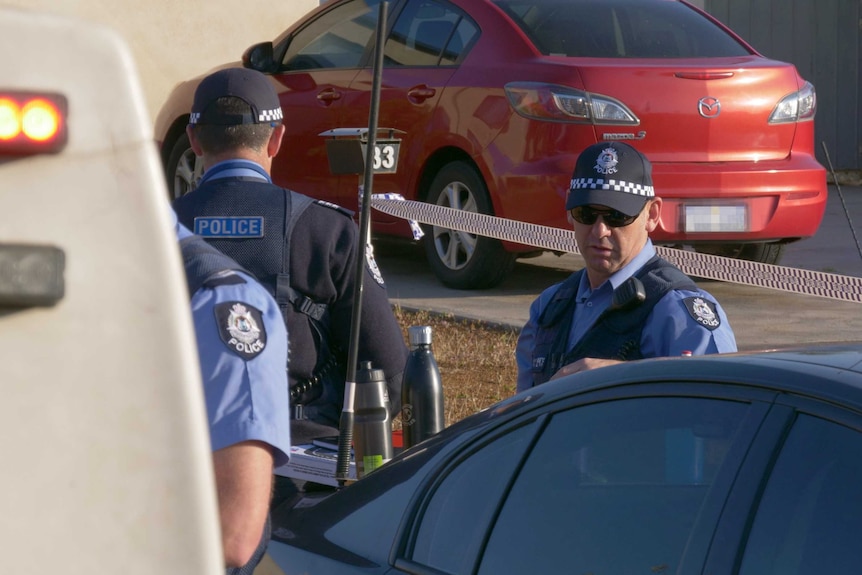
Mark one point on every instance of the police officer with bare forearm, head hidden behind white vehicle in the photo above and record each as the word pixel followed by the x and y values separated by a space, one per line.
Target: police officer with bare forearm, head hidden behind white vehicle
pixel 242 343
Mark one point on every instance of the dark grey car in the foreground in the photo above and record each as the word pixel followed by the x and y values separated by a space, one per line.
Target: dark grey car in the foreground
pixel 742 463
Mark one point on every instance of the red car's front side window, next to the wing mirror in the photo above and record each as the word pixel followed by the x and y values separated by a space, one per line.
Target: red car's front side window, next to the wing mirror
pixel 335 40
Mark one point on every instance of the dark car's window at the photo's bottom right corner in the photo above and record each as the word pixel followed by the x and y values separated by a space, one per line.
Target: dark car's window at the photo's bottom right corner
pixel 810 515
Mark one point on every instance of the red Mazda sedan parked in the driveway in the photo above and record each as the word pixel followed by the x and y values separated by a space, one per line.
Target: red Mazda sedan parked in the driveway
pixel 495 98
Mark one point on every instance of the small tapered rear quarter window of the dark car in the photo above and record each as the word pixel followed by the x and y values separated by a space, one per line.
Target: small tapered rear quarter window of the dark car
pixel 452 527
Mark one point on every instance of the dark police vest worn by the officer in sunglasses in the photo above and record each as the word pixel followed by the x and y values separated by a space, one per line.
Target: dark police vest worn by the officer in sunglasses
pixel 616 334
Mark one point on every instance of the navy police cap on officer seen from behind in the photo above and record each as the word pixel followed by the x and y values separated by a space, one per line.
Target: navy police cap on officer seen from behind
pixel 251 86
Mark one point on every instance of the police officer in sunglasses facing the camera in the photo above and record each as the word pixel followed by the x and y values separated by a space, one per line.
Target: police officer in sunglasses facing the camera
pixel 626 303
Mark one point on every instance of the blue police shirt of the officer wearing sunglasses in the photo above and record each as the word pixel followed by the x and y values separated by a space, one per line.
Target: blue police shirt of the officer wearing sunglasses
pixel 669 329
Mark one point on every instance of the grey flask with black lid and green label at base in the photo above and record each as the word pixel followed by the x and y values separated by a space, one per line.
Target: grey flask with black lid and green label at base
pixel 372 425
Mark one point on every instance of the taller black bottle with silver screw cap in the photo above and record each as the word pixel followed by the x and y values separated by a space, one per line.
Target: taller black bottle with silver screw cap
pixel 422 412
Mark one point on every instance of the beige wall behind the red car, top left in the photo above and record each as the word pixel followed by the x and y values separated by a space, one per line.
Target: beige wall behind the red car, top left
pixel 172 40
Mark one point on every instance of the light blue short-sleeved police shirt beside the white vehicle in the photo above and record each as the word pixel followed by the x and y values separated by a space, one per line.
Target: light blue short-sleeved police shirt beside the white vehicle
pixel 242 344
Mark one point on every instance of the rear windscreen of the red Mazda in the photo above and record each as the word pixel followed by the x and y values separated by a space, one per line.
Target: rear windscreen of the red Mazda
pixel 621 29
